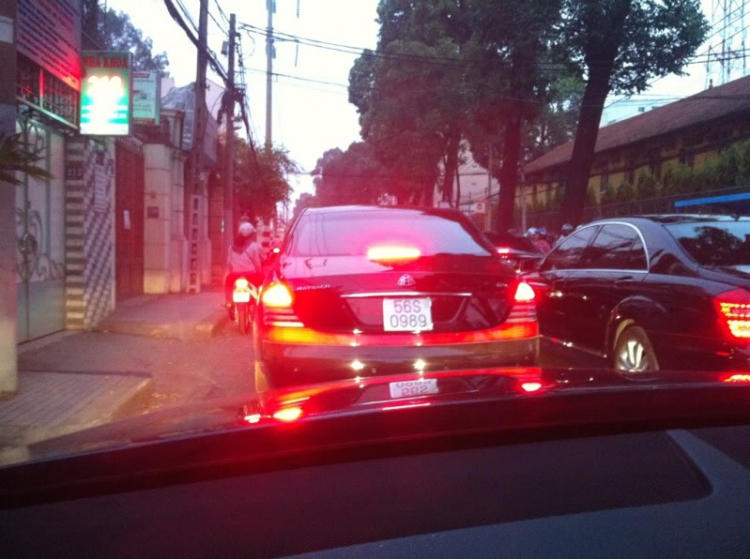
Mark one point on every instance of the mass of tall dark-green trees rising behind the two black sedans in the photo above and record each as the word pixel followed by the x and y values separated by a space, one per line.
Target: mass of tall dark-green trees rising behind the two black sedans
pixel 510 80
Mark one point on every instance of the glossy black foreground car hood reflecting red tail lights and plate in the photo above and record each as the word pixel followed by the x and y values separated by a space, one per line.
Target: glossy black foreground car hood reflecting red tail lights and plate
pixel 519 389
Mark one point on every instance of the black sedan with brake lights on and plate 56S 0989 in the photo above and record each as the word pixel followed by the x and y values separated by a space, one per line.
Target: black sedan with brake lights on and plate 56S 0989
pixel 359 291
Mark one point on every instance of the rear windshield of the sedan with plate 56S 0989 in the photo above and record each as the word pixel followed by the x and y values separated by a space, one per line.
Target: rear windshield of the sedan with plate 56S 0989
pixel 353 233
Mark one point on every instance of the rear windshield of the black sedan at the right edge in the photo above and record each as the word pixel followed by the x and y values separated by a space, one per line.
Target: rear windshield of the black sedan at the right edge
pixel 718 243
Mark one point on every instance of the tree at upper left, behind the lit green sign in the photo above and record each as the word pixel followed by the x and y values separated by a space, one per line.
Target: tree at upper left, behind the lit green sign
pixel 109 30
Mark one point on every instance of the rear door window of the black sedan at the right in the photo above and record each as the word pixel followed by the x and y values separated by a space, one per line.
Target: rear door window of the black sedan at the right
pixel 616 247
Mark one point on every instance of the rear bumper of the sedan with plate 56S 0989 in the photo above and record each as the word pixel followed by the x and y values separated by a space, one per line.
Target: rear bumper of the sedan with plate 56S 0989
pixel 292 364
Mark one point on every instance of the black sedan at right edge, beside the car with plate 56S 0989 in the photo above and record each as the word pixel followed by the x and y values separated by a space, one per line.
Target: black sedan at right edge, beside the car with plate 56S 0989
pixel 651 292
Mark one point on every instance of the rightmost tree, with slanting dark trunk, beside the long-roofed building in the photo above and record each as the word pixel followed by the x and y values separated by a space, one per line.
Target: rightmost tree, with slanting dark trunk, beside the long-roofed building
pixel 618 46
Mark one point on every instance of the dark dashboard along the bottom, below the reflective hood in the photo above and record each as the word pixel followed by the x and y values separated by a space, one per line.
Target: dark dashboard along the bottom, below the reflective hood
pixel 677 493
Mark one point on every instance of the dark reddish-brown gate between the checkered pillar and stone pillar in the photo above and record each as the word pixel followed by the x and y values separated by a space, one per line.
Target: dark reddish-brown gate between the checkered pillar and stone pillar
pixel 129 195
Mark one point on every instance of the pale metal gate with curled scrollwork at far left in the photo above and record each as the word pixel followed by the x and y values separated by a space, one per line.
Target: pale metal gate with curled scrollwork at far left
pixel 40 232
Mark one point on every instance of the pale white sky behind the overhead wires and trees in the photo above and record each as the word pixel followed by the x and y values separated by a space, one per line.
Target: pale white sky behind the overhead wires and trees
pixel 311 112
